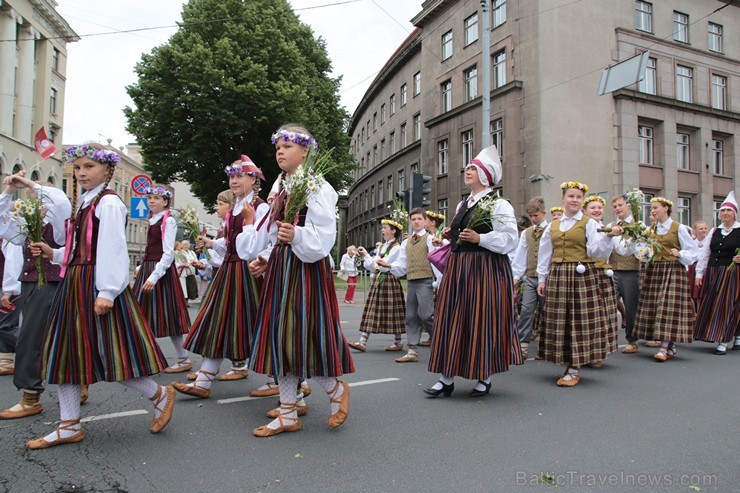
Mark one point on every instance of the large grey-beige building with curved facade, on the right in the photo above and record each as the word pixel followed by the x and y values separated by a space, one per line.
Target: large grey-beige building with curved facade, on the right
pixel 673 134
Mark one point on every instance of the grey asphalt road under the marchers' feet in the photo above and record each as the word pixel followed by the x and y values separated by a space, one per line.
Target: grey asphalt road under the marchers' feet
pixel 633 425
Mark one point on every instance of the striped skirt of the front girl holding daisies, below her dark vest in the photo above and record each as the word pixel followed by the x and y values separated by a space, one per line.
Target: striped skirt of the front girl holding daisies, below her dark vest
pixel 298 329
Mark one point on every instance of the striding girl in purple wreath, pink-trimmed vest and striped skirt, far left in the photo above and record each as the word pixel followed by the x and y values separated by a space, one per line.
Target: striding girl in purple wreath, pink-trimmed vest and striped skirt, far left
pixel 96 331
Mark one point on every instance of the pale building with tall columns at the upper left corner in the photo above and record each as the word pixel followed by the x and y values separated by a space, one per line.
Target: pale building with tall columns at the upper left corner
pixel 33 60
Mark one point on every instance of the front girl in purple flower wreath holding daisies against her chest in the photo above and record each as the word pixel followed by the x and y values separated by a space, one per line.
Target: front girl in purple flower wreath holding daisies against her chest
pixel 298 333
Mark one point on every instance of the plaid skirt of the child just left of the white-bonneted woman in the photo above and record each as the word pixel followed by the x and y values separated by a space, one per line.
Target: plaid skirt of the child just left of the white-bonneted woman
pixel 385 308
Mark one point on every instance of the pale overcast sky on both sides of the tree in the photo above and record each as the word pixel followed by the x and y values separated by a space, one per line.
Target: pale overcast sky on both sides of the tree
pixel 360 37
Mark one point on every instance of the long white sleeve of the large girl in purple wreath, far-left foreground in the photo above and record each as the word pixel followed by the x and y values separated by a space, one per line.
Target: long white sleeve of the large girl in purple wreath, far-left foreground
pixel 111 269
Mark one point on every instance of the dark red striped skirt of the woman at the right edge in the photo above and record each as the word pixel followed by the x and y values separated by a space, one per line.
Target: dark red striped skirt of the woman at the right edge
pixel 718 319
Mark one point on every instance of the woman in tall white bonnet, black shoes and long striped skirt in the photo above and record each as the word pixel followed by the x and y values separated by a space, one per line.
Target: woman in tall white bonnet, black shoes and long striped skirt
pixel 474 334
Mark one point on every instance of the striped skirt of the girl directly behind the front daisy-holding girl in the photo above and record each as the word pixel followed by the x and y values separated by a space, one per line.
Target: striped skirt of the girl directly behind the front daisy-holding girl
pixel 228 314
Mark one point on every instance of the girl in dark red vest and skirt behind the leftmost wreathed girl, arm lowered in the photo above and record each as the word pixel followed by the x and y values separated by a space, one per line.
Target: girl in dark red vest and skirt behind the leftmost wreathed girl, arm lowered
pixel 157 287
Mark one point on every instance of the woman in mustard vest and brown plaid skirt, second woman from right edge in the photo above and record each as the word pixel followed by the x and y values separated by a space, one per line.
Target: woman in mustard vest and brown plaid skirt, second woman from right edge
pixel 666 310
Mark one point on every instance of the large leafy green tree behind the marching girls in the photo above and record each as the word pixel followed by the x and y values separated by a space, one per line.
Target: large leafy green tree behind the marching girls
pixel 224 82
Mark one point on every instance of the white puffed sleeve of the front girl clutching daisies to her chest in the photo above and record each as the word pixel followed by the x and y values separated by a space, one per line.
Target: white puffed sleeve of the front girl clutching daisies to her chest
pixel 314 241
